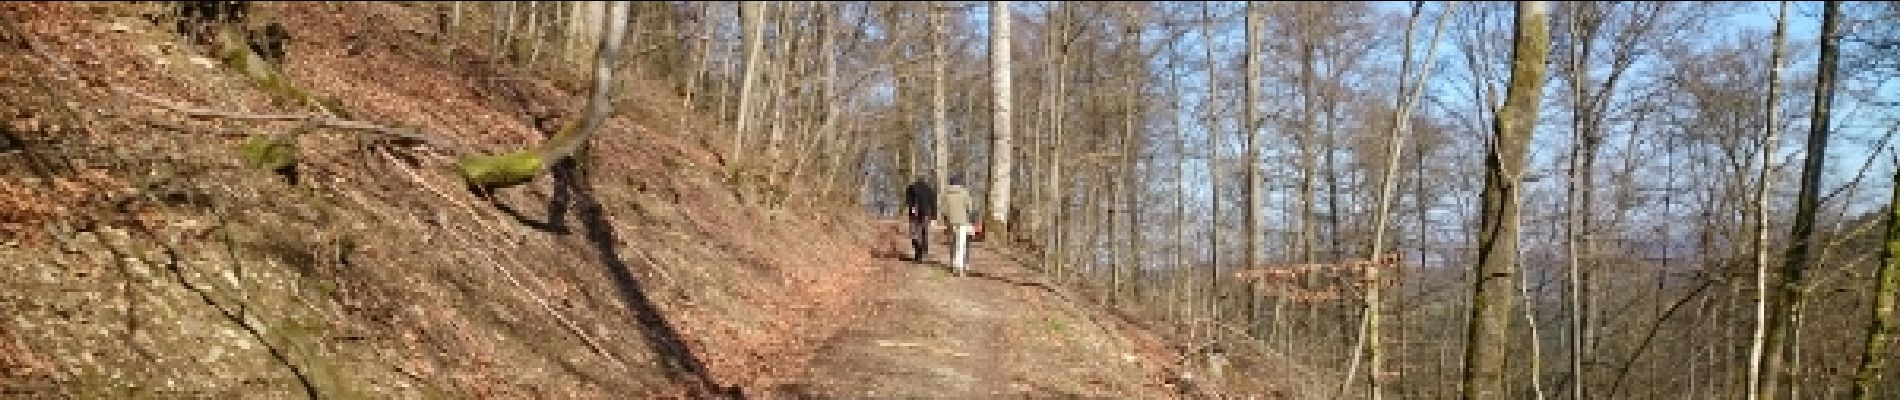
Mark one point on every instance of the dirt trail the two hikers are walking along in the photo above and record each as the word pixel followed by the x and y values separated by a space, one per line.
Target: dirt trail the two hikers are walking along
pixel 998 333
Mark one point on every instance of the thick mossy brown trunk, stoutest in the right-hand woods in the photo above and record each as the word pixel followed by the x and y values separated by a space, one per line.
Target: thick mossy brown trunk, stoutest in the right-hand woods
pixel 1496 280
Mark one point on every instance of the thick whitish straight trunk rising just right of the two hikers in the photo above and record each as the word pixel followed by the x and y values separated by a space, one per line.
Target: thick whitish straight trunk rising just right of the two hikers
pixel 1000 122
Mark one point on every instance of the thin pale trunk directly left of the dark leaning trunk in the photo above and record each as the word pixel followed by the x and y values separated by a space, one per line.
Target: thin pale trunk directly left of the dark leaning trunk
pixel 1766 158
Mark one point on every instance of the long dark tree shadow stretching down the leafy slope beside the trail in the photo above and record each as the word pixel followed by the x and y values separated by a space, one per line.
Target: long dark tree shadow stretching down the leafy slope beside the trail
pixel 660 335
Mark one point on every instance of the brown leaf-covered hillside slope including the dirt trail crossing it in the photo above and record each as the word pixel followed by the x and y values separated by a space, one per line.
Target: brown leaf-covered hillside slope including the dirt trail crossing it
pixel 149 261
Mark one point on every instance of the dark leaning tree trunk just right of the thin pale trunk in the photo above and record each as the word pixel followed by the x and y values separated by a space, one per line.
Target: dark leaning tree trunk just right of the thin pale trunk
pixel 1808 204
